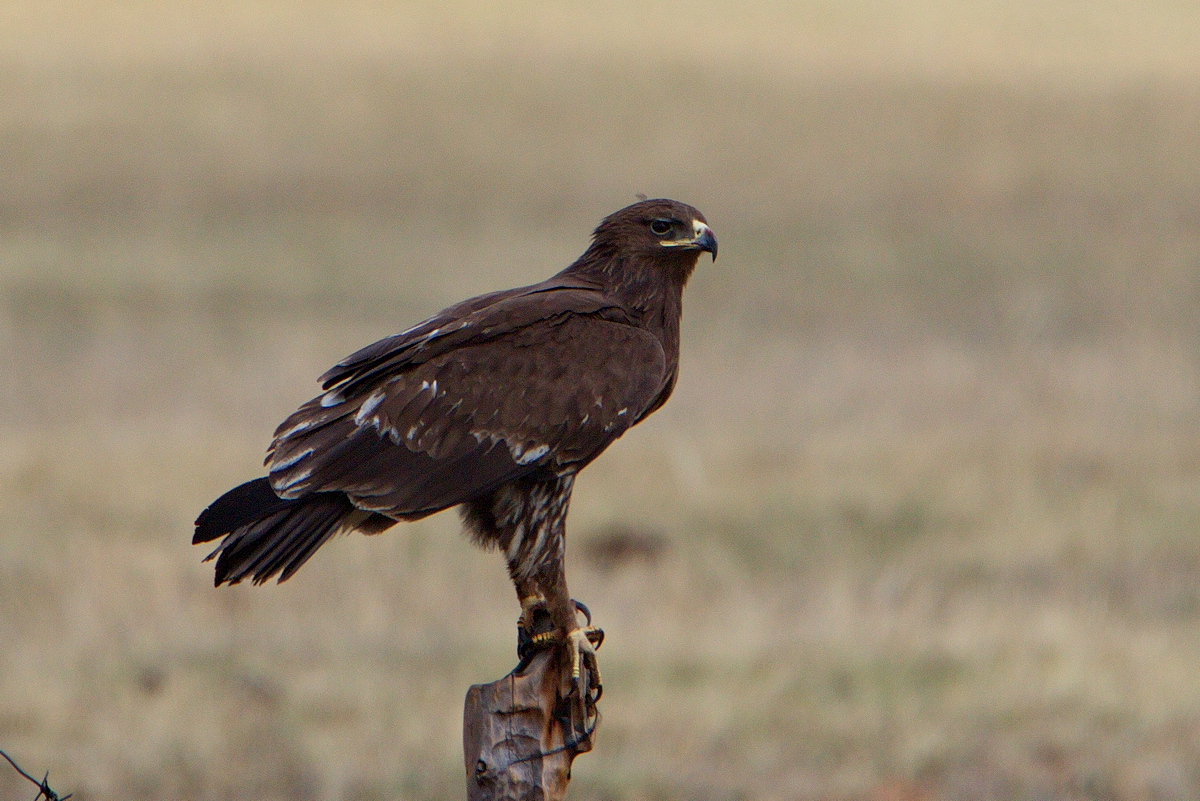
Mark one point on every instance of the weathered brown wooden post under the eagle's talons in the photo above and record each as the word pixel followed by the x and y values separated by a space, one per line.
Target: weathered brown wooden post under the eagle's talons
pixel 520 734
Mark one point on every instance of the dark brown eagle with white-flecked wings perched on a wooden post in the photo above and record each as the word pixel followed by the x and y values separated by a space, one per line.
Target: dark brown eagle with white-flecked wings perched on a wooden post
pixel 493 406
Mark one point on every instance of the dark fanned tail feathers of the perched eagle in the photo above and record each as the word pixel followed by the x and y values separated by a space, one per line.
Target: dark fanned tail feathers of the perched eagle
pixel 266 535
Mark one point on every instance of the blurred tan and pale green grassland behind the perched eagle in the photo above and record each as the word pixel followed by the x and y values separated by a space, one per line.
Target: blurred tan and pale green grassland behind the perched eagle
pixel 920 522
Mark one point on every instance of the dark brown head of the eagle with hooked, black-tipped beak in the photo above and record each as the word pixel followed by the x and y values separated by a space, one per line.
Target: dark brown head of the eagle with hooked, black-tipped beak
pixel 659 231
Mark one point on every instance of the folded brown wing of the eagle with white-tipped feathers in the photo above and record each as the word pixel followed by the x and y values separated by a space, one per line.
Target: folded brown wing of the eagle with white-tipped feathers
pixel 463 403
